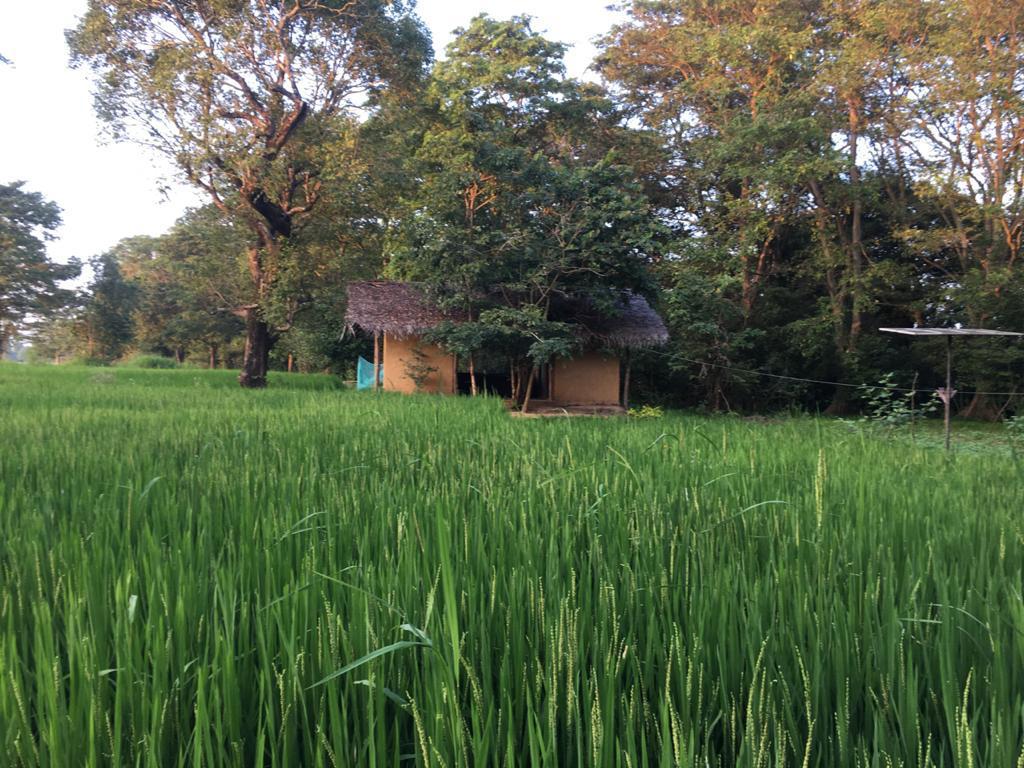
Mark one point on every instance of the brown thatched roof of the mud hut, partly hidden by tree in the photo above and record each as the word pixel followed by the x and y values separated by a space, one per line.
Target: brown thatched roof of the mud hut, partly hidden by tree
pixel 403 310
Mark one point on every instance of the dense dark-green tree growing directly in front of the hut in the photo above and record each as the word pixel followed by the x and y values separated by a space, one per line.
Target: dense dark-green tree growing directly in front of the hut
pixel 522 210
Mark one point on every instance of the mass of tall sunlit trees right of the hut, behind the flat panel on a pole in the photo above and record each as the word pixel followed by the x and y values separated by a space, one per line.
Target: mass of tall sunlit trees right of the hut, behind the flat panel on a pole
pixel 829 169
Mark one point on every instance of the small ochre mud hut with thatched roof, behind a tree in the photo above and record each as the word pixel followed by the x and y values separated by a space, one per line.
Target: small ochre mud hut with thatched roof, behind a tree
pixel 401 314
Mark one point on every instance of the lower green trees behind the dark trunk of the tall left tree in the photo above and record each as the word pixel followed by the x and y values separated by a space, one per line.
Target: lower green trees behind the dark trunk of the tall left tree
pixel 187 285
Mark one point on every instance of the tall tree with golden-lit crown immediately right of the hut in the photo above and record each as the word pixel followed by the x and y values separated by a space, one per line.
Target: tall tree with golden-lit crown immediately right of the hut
pixel 729 89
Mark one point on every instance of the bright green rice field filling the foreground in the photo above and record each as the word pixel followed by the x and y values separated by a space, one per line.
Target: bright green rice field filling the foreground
pixel 196 576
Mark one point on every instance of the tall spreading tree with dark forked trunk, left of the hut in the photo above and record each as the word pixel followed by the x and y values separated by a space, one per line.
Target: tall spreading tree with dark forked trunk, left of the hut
pixel 245 98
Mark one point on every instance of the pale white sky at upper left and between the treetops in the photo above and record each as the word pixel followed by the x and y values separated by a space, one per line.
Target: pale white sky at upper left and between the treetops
pixel 51 139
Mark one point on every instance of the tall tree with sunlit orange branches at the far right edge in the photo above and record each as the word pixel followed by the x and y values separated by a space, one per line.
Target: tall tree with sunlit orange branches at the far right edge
pixel 965 139
